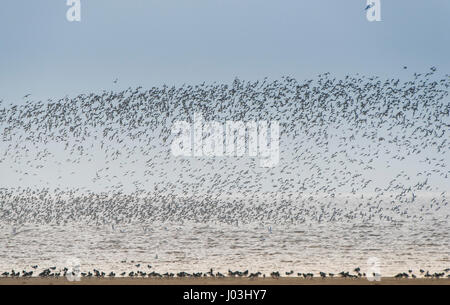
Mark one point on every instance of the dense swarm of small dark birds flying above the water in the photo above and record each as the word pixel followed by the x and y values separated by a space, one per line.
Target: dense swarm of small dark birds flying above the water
pixel 335 133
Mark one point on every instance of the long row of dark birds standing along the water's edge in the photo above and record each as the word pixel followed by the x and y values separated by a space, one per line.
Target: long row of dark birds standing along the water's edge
pixel 357 273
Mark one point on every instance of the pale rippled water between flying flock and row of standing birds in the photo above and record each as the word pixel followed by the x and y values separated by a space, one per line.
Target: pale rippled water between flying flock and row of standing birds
pixel 331 247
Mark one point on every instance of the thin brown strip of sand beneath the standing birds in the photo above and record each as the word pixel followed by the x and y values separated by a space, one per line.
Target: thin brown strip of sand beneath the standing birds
pixel 221 281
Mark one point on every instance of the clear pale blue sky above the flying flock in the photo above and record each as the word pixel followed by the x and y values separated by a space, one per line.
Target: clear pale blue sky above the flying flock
pixel 148 42
